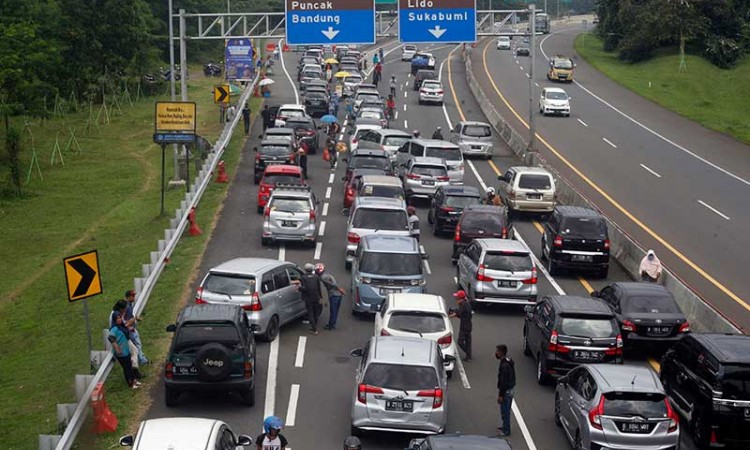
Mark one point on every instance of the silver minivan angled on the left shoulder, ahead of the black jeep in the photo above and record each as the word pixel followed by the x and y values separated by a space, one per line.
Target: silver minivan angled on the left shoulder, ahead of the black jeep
pixel 262 287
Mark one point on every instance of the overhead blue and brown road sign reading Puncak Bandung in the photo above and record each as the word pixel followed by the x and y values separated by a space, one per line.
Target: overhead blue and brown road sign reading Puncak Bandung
pixel 328 22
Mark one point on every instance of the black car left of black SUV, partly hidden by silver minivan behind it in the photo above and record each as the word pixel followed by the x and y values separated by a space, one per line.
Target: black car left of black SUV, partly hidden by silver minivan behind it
pixel 477 222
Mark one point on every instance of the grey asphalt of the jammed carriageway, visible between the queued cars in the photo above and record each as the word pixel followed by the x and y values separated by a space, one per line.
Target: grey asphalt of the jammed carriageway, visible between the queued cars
pixel 309 380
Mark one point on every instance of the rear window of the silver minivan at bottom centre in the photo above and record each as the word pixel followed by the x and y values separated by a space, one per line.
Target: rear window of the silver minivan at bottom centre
pixel 398 377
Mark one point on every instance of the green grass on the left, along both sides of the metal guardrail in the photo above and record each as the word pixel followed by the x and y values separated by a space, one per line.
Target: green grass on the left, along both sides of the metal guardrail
pixel 105 198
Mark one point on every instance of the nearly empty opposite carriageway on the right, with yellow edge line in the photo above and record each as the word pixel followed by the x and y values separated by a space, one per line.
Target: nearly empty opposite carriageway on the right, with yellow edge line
pixel 673 185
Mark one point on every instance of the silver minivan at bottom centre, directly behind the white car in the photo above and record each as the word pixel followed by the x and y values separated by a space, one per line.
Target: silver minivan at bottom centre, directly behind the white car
pixel 401 386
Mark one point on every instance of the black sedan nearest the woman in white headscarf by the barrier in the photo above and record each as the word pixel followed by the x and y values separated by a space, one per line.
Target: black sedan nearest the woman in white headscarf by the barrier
pixel 646 312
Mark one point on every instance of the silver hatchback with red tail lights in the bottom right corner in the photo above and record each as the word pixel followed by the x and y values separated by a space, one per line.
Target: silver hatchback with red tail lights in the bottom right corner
pixel 615 407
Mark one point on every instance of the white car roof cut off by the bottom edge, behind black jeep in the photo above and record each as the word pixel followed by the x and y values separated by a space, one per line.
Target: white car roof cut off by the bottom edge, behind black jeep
pixel 186 433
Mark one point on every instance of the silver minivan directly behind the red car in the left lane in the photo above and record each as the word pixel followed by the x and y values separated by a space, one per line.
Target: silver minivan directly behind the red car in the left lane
pixel 290 215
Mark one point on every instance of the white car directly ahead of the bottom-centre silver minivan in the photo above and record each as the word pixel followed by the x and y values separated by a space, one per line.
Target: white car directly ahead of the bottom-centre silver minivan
pixel 423 315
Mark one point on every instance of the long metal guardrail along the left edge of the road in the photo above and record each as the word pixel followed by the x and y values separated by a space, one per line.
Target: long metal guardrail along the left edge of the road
pixel 72 416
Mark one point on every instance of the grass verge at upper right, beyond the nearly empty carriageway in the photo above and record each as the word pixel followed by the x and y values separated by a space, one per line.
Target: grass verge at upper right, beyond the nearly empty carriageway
pixel 715 98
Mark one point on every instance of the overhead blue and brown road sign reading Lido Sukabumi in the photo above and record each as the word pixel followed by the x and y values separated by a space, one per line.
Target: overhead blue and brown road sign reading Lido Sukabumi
pixel 433 21
